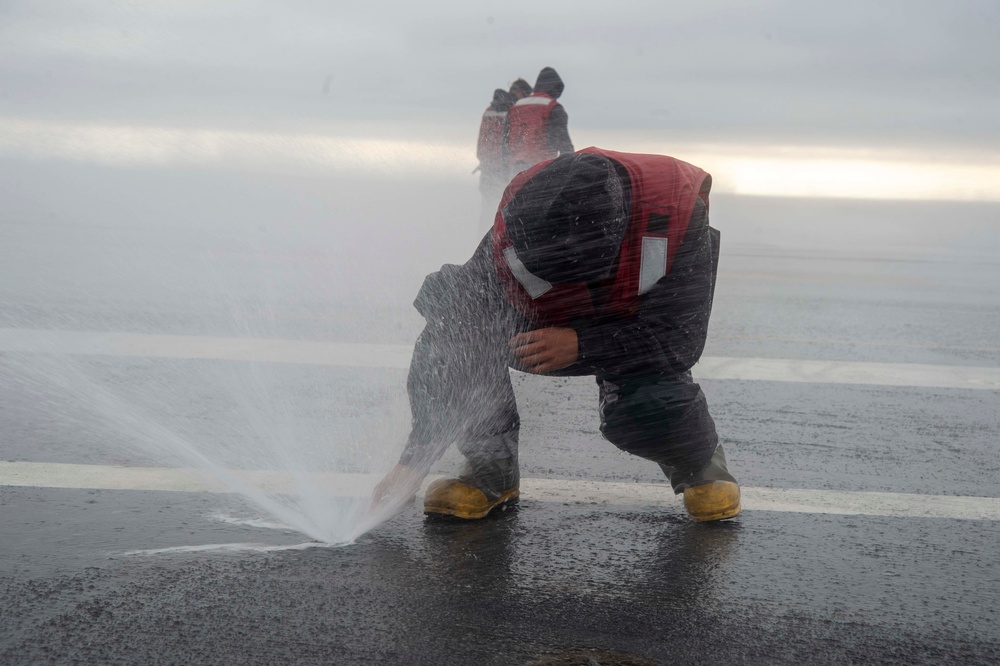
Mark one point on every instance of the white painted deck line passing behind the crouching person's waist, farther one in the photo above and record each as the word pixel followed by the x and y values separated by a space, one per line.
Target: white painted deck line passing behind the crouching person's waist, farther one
pixel 362 355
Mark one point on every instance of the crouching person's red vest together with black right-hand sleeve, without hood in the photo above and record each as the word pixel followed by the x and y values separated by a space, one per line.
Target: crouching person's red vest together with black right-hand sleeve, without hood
pixel 650 317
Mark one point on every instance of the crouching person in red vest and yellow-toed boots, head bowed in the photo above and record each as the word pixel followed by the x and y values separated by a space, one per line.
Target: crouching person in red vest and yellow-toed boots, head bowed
pixel 599 263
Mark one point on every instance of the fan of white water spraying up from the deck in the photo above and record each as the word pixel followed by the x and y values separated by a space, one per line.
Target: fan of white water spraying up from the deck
pixel 246 426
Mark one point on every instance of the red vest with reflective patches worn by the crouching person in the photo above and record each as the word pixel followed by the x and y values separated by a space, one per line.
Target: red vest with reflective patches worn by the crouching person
pixel 663 195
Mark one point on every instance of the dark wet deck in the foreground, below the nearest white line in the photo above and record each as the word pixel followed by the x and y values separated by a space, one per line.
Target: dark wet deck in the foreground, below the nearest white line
pixel 766 588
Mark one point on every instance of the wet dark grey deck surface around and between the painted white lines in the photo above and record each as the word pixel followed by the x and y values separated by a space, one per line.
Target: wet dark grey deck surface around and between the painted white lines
pixel 543 577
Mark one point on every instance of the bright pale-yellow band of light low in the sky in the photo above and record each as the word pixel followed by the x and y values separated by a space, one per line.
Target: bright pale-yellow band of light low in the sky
pixel 787 171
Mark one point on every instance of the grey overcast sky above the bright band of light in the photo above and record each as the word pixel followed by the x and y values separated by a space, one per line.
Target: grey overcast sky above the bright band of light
pixel 889 75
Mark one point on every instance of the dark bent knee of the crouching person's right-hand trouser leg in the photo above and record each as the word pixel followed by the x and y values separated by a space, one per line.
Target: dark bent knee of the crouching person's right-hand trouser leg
pixel 669 425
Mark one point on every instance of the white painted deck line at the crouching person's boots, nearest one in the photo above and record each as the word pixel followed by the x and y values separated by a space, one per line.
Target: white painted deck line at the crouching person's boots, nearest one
pixel 900 505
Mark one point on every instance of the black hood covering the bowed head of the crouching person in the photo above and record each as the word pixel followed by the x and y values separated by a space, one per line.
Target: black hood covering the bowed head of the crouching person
pixel 567 222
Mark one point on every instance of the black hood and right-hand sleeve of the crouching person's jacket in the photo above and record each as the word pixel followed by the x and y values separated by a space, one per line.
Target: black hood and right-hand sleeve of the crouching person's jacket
pixel 566 224
